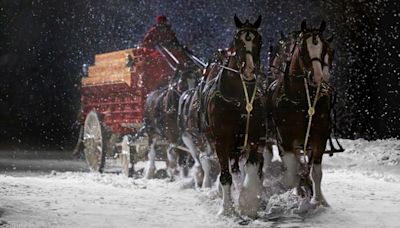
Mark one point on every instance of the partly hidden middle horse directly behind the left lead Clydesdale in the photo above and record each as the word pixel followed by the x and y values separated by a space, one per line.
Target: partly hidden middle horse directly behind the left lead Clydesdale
pixel 191 125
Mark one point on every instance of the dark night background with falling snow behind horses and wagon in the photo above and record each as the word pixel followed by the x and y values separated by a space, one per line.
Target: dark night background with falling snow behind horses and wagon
pixel 44 43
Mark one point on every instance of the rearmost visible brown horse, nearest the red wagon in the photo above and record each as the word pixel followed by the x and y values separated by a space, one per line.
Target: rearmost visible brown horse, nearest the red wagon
pixel 160 119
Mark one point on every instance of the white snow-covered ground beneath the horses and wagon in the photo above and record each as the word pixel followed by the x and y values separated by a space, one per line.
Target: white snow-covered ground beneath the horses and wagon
pixel 362 186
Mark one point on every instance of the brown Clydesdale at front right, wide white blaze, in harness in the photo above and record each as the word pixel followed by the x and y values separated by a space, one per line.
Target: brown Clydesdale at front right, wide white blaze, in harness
pixel 300 105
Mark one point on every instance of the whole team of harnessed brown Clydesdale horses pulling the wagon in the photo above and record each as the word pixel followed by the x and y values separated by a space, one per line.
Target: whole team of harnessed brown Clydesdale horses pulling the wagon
pixel 232 111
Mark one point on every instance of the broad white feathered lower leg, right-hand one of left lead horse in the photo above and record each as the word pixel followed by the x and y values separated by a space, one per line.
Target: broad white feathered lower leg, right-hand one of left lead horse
pixel 250 195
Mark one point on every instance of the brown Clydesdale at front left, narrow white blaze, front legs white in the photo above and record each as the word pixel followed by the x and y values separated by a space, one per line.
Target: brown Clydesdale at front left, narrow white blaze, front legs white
pixel 235 119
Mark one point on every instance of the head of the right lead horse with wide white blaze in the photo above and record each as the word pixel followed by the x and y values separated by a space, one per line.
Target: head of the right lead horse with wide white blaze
pixel 314 52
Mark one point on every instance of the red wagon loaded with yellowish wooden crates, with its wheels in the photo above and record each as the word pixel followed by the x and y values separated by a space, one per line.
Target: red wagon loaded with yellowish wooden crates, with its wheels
pixel 112 101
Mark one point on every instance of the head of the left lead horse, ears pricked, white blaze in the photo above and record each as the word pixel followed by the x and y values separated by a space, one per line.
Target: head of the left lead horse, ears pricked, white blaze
pixel 247 44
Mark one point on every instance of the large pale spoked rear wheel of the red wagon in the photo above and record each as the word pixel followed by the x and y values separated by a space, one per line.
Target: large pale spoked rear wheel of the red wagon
pixel 94 141
